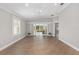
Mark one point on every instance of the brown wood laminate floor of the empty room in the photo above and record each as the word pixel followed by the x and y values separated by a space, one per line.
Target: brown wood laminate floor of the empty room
pixel 39 46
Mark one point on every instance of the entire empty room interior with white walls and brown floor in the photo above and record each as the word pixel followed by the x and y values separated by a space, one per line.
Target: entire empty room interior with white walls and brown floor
pixel 26 21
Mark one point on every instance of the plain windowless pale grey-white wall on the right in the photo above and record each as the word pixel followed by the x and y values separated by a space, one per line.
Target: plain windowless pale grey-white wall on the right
pixel 69 25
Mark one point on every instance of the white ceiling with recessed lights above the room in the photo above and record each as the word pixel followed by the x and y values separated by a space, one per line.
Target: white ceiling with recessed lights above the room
pixel 34 10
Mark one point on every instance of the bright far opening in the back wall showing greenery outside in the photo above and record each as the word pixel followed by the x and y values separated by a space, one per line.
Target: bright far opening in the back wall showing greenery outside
pixel 40 29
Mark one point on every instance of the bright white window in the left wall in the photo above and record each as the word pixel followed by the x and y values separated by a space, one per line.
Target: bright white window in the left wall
pixel 16 26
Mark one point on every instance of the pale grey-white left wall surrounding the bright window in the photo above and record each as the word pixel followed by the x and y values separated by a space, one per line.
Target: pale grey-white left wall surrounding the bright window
pixel 6 35
